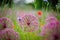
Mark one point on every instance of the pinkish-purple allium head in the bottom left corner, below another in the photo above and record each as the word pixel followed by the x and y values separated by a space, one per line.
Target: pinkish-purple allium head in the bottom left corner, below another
pixel 9 34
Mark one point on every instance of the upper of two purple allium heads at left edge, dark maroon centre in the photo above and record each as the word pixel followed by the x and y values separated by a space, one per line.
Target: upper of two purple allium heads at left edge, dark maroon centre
pixel 5 23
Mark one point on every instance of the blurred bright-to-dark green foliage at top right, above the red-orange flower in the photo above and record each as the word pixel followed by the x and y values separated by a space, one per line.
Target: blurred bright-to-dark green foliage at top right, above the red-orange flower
pixel 49 4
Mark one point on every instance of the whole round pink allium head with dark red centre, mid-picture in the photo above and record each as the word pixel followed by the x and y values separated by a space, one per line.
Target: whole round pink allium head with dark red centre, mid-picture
pixel 29 23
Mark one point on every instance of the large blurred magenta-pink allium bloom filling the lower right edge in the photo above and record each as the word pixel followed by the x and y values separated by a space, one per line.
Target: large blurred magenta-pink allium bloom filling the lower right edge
pixel 52 29
